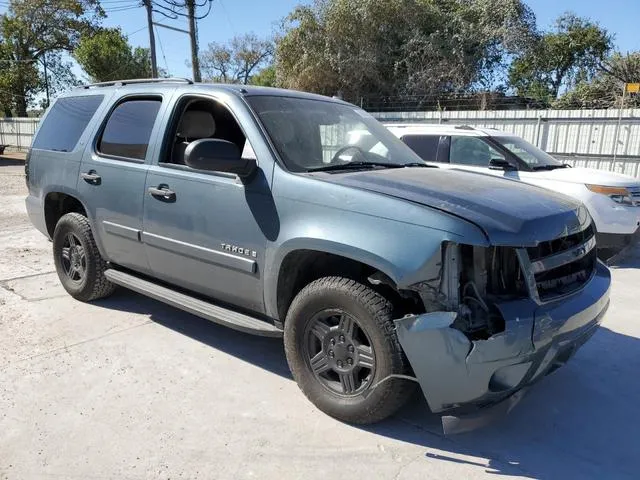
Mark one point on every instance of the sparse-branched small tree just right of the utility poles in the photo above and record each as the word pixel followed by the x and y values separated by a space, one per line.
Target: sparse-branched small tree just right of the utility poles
pixel 236 61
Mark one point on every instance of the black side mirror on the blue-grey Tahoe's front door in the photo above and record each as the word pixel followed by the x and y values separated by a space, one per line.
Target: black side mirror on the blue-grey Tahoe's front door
pixel 218 155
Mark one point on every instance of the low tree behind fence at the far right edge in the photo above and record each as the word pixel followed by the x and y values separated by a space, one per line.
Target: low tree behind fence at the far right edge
pixel 605 89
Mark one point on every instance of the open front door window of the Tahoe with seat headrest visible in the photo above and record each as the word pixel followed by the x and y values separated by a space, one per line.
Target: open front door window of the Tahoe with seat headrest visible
pixel 205 119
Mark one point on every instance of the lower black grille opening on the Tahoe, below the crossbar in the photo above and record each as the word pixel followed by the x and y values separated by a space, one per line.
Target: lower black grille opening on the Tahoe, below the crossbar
pixel 567 278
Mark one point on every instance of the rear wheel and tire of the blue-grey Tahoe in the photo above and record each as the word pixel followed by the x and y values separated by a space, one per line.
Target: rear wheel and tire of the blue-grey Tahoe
pixel 75 250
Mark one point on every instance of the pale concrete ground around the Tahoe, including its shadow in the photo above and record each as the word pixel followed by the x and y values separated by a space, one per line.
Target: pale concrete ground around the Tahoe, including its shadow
pixel 129 388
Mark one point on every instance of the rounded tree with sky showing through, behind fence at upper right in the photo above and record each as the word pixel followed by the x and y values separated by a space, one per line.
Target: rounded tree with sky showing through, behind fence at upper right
pixel 561 58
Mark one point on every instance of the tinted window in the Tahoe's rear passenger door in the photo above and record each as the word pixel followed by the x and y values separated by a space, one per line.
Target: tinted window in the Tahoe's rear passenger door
pixel 128 129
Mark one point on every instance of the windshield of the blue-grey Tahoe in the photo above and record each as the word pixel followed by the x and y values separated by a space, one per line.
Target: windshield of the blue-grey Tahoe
pixel 324 135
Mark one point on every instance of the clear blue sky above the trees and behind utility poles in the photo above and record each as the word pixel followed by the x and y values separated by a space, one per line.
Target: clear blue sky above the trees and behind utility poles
pixel 230 17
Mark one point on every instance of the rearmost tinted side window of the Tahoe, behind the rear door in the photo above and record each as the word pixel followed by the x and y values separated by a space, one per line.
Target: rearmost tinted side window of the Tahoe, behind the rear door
pixel 65 123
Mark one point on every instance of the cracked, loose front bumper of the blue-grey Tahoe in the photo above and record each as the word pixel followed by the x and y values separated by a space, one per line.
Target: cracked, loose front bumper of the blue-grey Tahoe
pixel 472 382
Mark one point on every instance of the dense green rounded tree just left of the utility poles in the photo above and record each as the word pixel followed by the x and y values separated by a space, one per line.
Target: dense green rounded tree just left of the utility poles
pixel 107 55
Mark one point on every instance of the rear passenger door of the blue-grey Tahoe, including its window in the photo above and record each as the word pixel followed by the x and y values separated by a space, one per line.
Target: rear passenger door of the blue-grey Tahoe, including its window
pixel 113 174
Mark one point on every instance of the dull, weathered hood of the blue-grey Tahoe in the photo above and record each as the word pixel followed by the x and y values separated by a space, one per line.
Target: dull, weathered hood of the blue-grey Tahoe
pixel 509 212
